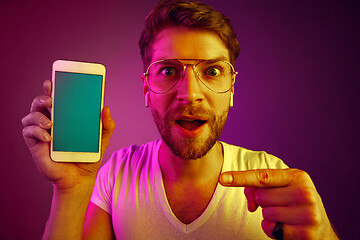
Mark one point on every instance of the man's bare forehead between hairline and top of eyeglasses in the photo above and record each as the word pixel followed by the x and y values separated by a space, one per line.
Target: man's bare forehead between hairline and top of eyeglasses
pixel 185 43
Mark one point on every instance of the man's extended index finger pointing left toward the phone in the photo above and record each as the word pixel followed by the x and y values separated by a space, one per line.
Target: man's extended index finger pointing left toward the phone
pixel 258 178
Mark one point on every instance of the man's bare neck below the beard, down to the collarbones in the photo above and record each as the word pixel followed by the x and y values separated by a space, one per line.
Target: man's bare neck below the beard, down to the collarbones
pixel 199 171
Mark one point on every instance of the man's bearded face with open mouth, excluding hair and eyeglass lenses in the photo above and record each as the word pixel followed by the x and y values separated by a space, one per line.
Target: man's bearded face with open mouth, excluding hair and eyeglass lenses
pixel 190 117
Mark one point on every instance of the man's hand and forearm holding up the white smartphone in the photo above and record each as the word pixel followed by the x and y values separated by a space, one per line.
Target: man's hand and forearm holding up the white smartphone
pixel 73 182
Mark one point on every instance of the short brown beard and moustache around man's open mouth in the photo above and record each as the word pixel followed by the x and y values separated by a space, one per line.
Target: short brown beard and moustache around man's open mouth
pixel 190 148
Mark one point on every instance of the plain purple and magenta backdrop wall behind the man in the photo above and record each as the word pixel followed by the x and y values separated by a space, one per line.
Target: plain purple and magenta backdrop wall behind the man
pixel 296 93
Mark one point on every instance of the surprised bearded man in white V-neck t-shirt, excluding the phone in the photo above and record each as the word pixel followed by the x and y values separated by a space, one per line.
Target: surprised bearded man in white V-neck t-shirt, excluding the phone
pixel 187 185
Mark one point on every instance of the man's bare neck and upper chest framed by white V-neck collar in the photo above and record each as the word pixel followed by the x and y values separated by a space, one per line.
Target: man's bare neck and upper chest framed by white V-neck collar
pixel 190 184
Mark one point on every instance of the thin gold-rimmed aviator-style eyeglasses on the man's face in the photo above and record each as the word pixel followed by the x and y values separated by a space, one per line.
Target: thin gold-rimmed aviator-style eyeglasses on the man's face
pixel 217 75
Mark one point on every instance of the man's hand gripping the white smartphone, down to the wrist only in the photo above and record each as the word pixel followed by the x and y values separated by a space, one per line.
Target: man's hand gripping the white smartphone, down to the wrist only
pixel 36 135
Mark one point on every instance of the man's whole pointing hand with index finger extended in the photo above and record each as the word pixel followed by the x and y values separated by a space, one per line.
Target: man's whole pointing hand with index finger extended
pixel 286 195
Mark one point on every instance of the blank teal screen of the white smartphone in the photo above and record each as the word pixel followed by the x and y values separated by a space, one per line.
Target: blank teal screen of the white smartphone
pixel 77 111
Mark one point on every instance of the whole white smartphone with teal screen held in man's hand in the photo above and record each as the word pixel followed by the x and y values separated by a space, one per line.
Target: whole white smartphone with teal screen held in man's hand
pixel 78 97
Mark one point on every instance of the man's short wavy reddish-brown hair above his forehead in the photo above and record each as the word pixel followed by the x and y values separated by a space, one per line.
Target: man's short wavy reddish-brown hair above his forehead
pixel 190 14
